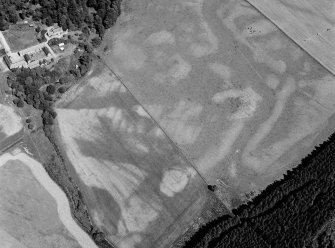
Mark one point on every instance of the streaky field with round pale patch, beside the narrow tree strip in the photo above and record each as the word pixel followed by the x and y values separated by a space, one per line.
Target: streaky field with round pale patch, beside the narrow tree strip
pixel 138 187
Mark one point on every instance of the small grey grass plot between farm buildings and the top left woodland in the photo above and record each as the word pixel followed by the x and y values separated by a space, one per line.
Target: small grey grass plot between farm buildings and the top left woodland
pixel 20 36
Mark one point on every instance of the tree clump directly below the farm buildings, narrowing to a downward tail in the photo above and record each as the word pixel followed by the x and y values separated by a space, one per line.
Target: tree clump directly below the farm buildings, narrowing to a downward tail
pixel 41 87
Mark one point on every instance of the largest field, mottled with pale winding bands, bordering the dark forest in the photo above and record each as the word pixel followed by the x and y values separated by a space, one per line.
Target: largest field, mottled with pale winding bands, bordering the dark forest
pixel 239 98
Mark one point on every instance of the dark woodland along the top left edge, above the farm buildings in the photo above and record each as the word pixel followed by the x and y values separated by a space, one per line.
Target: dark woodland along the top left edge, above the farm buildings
pixel 69 14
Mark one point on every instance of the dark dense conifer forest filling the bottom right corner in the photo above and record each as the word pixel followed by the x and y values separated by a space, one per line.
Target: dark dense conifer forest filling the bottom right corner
pixel 288 213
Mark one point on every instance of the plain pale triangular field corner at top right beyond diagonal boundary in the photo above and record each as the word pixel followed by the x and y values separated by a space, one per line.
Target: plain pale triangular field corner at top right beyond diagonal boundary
pixel 310 23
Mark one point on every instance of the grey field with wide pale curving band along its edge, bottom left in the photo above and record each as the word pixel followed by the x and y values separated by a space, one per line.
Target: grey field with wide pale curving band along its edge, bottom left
pixel 34 212
